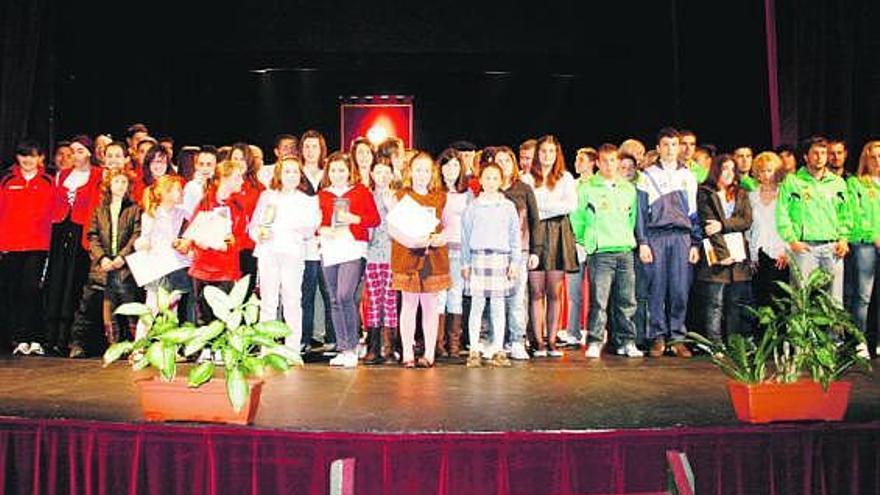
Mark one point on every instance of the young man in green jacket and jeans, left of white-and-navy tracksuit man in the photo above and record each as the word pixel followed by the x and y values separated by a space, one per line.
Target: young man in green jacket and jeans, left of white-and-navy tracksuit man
pixel 604 225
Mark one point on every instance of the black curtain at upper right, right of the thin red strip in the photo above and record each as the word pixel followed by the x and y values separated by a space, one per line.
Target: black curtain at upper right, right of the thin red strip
pixel 829 70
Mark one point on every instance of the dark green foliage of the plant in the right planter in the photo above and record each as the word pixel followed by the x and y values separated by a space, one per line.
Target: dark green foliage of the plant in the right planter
pixel 806 333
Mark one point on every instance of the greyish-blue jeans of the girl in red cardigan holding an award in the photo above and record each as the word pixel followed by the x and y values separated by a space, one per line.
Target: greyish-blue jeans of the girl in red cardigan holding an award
pixel 342 281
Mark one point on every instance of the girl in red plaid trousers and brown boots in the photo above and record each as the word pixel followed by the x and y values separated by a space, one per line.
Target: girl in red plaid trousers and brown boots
pixel 381 313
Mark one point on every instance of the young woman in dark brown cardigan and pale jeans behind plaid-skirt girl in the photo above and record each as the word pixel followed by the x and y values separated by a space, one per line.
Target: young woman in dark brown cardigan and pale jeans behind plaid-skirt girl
pixel 531 243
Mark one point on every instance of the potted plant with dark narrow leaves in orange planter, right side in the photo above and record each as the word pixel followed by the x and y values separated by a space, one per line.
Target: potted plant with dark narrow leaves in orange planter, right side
pixel 793 372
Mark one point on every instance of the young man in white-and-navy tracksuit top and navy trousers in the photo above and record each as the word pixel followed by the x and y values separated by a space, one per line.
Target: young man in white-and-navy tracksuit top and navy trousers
pixel 668 235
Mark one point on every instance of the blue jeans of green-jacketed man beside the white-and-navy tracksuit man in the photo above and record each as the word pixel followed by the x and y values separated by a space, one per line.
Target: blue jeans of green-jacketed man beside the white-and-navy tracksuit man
pixel 615 270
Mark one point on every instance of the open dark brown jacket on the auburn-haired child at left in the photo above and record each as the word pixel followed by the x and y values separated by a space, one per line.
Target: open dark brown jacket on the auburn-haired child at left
pixel 100 237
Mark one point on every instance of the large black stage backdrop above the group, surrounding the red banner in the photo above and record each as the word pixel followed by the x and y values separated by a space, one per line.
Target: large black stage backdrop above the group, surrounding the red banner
pixel 588 72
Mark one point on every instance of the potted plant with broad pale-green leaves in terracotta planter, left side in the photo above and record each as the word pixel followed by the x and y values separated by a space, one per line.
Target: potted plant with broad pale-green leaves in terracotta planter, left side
pixel 248 349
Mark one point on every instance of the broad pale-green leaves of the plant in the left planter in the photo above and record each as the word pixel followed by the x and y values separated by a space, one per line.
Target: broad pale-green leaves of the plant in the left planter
pixel 248 347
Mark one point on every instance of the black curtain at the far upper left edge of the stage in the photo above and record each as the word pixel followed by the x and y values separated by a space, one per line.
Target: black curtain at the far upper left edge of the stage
pixel 25 89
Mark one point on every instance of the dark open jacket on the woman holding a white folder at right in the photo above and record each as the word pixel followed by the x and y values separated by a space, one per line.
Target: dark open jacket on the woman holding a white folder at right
pixel 709 208
